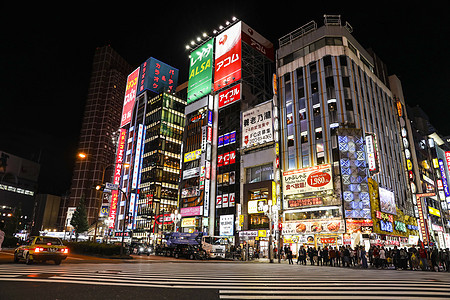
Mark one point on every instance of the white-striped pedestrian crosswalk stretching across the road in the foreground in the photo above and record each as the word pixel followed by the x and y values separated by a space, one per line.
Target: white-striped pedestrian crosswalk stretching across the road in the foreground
pixel 241 281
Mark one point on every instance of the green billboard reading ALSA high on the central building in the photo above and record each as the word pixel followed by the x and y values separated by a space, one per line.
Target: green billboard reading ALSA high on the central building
pixel 200 72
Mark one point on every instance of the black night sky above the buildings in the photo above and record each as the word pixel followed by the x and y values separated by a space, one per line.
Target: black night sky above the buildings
pixel 46 58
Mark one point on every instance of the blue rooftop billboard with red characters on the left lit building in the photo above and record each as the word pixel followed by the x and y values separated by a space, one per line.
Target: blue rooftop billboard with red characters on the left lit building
pixel 157 77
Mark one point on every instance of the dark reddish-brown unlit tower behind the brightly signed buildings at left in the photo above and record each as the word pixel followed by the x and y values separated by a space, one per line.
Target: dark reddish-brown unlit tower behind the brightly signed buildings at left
pixel 98 131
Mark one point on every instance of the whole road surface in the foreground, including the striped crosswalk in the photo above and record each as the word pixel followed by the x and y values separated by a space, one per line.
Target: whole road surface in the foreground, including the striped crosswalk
pixel 156 278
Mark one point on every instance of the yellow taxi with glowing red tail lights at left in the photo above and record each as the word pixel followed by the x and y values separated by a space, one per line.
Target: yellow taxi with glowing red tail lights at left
pixel 41 248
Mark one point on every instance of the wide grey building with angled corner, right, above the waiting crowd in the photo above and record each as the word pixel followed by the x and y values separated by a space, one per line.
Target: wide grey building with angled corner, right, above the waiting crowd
pixel 344 178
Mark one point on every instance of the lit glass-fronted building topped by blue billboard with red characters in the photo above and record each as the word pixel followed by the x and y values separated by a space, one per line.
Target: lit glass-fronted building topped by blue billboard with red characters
pixel 151 131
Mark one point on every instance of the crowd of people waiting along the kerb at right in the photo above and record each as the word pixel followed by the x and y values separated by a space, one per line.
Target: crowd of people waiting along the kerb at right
pixel 400 258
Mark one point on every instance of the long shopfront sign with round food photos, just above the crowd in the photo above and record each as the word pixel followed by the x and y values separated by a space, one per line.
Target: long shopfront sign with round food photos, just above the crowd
pixel 310 227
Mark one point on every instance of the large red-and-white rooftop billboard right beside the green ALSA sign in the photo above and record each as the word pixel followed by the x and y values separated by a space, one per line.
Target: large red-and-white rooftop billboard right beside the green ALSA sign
pixel 228 57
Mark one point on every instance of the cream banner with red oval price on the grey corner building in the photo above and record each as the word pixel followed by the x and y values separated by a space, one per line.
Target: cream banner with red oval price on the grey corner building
pixel 312 179
